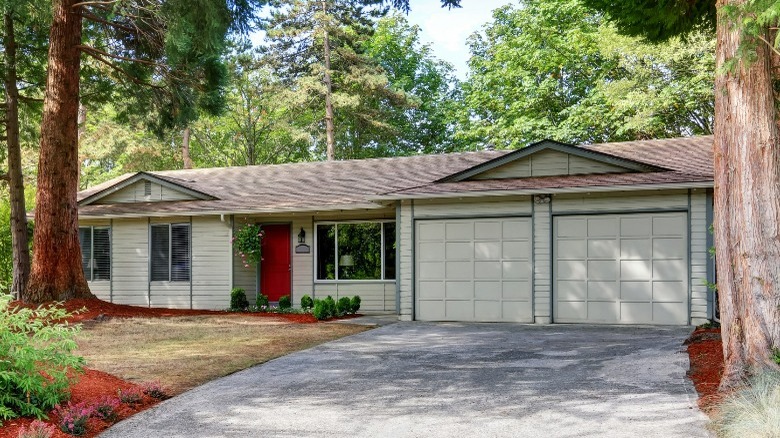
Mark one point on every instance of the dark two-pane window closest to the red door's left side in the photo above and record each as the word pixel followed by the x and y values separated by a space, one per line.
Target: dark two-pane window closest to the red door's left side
pixel 170 252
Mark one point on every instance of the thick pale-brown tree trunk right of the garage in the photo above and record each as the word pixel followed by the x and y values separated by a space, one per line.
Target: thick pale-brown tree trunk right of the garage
pixel 747 204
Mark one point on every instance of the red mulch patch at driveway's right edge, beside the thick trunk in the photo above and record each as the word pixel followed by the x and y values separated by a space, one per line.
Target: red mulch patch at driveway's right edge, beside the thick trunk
pixel 705 351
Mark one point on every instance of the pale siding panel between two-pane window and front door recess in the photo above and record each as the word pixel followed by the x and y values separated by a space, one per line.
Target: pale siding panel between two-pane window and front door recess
pixel 211 260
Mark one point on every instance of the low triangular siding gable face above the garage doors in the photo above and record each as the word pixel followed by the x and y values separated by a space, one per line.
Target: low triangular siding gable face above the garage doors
pixel 548 163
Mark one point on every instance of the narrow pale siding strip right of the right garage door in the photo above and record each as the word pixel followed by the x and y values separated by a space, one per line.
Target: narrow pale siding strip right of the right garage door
pixel 699 257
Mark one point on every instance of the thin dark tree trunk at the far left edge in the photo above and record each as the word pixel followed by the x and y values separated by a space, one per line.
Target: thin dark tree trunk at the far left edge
pixel 19 237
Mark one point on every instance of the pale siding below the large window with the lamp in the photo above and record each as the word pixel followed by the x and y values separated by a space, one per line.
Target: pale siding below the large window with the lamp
pixel 375 297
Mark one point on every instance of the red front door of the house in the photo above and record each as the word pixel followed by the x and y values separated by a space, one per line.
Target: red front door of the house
pixel 275 266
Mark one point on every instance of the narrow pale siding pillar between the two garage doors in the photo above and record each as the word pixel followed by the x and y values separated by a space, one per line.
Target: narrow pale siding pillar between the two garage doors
pixel 542 260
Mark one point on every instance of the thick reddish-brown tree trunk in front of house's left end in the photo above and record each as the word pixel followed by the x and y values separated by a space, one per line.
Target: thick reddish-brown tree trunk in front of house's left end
pixel 56 270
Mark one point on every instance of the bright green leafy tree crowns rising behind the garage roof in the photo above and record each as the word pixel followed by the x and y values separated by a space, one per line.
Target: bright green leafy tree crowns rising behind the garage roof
pixel 556 70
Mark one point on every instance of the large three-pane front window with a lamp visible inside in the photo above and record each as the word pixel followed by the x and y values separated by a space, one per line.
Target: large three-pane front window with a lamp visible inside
pixel 356 251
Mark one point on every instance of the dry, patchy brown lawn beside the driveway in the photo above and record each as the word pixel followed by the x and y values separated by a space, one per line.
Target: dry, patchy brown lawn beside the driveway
pixel 184 352
